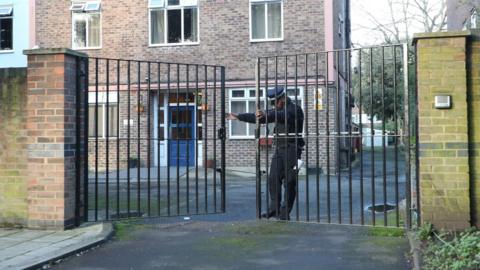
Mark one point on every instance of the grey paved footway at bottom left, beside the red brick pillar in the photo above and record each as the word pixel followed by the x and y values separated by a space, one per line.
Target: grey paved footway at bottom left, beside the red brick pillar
pixel 21 248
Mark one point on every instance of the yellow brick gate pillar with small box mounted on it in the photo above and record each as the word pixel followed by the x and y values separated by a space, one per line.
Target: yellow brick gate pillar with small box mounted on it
pixel 443 133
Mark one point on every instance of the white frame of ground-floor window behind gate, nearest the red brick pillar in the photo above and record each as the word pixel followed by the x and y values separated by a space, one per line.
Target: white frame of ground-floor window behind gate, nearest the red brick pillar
pixel 102 102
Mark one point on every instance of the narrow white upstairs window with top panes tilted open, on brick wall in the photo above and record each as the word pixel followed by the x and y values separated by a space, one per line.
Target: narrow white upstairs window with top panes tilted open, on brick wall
pixel 86 25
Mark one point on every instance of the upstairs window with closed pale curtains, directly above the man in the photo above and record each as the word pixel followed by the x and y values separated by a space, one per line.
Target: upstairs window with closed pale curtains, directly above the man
pixel 266 20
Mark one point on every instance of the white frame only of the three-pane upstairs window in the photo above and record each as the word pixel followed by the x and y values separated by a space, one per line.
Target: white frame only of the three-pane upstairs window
pixel 165 18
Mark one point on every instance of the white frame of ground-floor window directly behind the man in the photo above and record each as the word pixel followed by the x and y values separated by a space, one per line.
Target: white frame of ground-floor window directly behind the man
pixel 246 98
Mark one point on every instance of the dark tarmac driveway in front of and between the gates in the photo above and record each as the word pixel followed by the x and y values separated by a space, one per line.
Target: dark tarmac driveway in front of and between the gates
pixel 236 240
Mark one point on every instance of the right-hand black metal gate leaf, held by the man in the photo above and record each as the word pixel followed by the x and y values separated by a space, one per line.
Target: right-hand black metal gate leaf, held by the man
pixel 358 132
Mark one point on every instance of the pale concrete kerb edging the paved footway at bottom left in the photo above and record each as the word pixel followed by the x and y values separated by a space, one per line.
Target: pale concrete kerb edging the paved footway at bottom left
pixel 105 234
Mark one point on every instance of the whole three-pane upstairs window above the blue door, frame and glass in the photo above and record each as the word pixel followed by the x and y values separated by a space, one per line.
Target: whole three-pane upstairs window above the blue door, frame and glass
pixel 173 22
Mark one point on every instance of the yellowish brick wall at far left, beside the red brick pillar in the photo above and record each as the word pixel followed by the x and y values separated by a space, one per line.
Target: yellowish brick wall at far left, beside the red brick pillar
pixel 13 158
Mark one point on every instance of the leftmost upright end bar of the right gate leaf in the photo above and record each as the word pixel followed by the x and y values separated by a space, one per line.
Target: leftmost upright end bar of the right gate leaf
pixel 257 141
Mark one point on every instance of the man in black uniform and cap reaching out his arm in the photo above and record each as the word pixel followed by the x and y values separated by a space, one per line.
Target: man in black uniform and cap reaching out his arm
pixel 288 119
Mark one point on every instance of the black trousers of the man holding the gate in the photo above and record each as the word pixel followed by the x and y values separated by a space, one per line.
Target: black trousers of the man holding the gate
pixel 282 172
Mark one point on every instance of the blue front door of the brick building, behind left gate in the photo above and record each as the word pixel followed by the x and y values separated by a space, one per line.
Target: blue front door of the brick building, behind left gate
pixel 182 135
